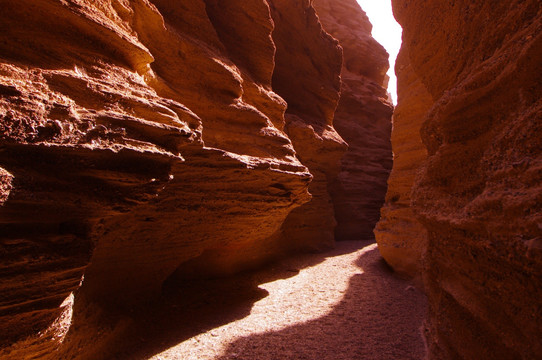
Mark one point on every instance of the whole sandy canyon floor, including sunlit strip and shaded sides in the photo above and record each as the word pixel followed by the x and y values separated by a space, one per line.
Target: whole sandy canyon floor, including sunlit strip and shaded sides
pixel 344 304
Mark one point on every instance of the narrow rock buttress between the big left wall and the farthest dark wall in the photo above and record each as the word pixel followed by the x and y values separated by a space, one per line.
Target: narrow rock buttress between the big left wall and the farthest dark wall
pixel 306 53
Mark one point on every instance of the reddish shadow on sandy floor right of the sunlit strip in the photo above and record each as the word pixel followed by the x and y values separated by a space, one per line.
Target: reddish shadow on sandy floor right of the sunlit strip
pixel 380 317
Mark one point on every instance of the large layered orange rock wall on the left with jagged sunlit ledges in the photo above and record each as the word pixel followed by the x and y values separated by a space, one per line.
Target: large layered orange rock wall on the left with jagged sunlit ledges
pixel 103 109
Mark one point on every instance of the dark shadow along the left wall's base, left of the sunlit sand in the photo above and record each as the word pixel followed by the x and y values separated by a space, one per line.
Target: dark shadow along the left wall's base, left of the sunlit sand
pixel 185 310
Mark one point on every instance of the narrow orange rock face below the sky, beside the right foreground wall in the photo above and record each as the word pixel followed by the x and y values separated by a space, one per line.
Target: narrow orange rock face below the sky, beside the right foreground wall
pixel 400 236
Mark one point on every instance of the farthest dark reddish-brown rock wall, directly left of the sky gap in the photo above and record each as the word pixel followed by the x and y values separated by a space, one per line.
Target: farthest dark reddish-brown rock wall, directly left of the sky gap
pixel 362 118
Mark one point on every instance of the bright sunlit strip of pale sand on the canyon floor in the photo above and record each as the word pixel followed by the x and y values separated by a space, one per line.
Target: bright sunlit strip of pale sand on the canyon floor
pixel 309 295
